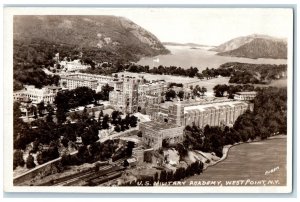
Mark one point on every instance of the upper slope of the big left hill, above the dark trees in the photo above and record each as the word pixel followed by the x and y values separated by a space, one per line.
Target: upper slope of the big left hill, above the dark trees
pixel 101 37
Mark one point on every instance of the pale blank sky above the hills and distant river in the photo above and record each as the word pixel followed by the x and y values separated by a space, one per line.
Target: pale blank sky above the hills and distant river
pixel 208 26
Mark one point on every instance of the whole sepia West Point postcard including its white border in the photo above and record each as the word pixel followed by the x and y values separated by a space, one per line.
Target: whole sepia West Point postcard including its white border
pixel 148 100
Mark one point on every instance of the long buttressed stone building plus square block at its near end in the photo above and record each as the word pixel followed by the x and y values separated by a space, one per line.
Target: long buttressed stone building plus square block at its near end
pixel 169 119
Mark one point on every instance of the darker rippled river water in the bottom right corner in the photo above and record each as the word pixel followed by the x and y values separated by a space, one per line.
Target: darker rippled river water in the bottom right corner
pixel 251 162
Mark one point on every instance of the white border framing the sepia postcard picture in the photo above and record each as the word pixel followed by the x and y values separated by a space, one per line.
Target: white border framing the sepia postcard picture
pixel 8 103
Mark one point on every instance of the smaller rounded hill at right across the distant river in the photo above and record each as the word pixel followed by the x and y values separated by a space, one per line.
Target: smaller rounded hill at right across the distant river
pixel 254 46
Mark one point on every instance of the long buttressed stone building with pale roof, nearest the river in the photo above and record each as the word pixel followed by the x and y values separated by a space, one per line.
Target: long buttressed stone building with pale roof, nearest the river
pixel 212 112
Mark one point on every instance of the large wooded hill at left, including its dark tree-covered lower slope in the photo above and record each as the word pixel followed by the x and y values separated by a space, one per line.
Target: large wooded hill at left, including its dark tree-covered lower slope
pixel 98 38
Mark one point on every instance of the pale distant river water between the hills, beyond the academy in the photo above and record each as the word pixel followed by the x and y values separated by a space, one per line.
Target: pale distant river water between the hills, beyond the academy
pixel 185 57
